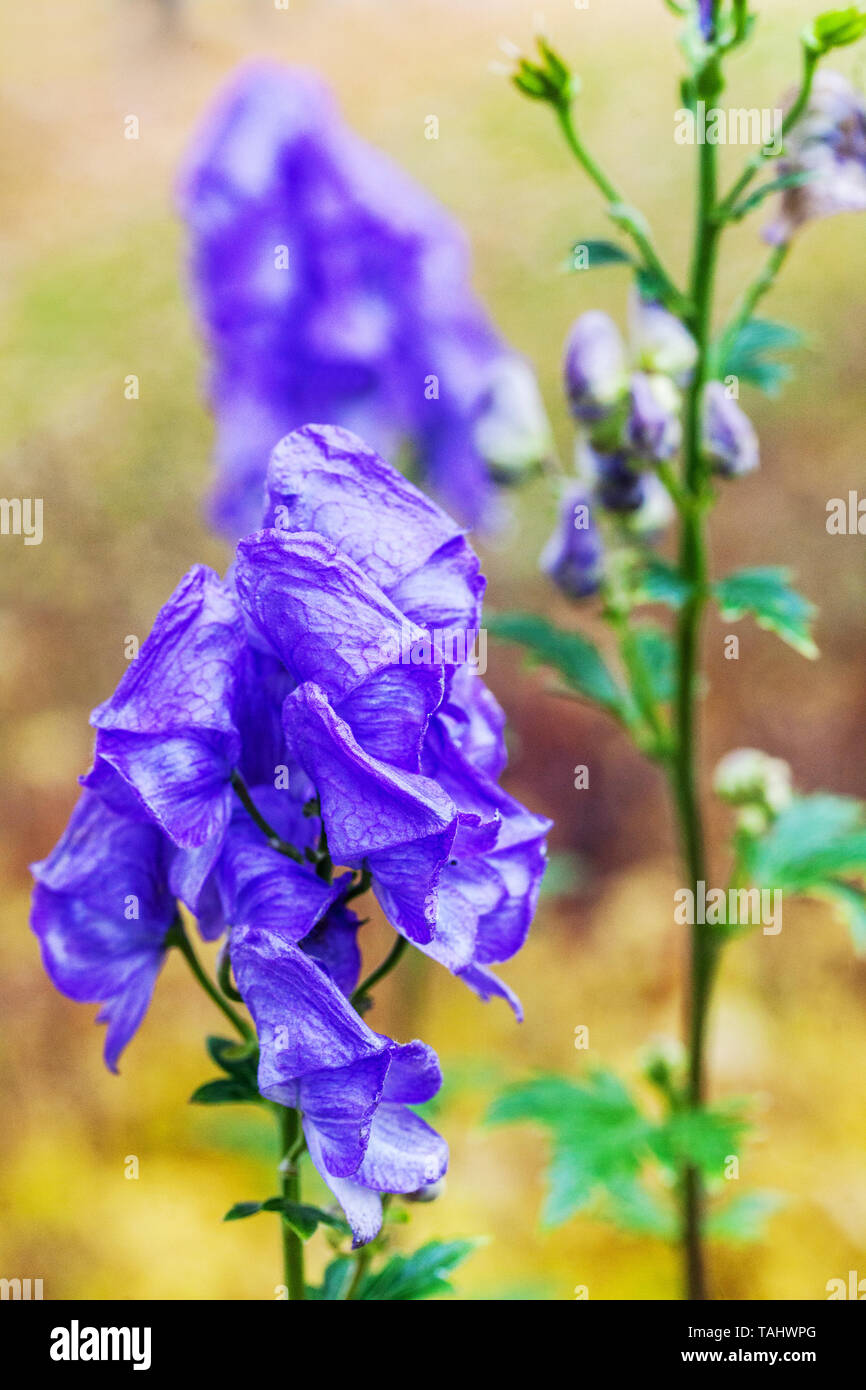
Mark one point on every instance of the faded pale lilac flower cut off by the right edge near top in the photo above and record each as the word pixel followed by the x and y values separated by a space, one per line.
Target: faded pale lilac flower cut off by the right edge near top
pixel 828 147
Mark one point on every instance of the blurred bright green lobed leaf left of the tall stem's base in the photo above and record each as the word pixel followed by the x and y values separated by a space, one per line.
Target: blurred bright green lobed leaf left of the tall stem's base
pixel 600 1136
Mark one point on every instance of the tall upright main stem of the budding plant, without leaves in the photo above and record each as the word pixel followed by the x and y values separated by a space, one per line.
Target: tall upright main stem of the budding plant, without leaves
pixel 685 778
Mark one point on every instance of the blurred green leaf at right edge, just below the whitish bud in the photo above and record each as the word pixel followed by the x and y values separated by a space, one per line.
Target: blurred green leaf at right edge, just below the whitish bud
pixel 814 840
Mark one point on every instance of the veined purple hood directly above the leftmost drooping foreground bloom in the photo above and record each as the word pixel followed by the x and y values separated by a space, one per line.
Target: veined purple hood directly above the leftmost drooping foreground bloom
pixel 169 729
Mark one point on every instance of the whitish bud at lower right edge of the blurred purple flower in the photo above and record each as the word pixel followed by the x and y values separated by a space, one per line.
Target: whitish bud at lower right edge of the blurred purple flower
pixel 512 432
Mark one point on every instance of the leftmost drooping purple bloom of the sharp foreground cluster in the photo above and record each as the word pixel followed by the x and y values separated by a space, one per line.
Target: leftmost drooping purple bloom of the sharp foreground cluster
pixel 102 910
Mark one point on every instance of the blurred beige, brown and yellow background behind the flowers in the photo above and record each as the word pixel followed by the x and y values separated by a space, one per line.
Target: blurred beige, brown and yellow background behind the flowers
pixel 92 293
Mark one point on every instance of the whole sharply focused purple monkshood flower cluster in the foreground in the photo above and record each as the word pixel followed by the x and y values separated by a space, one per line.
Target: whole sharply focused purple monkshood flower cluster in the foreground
pixel 295 687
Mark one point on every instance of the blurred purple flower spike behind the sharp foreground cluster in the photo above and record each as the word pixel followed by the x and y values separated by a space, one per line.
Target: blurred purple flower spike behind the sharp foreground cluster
pixel 330 287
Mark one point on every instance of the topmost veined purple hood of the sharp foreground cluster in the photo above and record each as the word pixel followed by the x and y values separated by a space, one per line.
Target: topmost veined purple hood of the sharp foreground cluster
pixel 327 480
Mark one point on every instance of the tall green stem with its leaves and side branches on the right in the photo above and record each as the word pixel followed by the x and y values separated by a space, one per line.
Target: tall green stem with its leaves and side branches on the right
pixel 771 836
